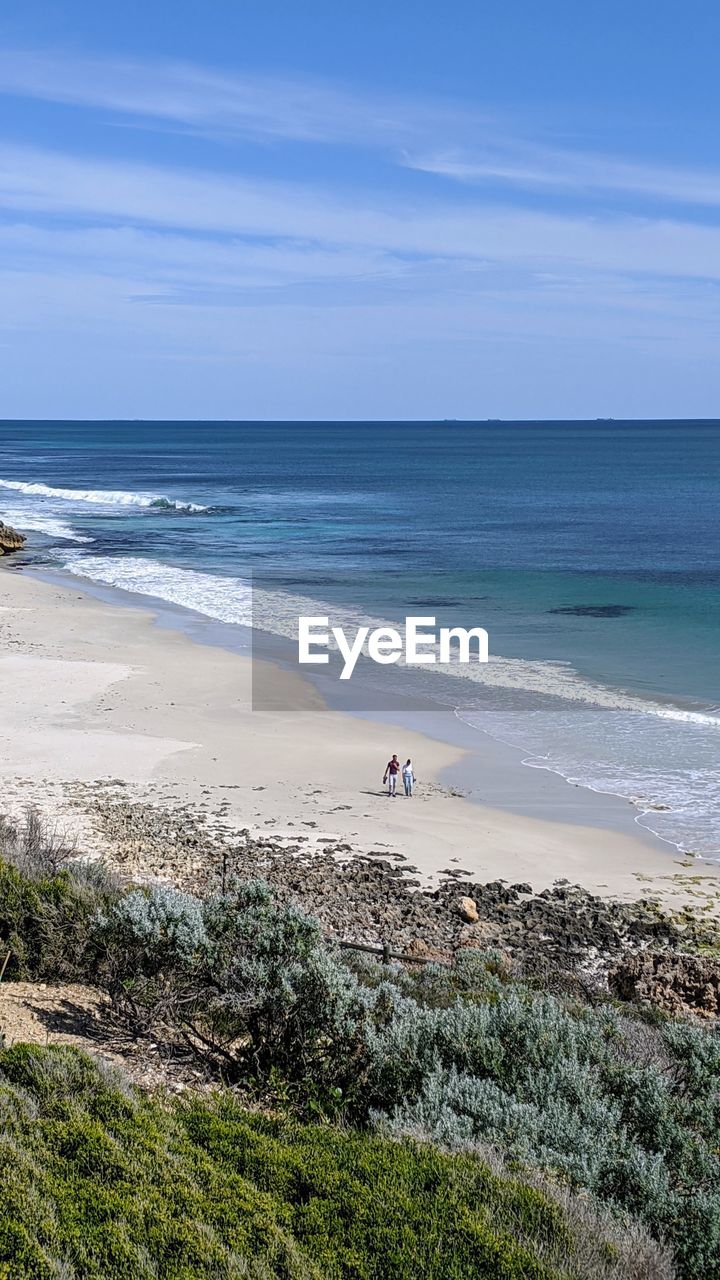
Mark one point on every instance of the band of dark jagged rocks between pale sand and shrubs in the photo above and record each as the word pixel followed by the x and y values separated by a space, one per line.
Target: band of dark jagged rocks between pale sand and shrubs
pixel 569 939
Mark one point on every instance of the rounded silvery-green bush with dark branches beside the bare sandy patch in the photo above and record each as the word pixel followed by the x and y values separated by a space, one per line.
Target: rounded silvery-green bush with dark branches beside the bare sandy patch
pixel 248 984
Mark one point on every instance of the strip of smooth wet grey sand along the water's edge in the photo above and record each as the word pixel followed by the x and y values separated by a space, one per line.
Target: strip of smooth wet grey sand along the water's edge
pixel 496 772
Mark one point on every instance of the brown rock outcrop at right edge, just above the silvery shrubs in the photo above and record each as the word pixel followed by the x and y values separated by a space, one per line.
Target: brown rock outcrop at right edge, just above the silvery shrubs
pixel 677 984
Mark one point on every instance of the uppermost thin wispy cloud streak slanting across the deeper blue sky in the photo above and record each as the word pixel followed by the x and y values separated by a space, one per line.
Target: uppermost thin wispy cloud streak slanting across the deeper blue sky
pixel 448 140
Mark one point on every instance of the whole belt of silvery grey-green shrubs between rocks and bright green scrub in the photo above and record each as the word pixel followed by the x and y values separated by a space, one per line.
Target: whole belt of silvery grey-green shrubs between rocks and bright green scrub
pixel 596 1099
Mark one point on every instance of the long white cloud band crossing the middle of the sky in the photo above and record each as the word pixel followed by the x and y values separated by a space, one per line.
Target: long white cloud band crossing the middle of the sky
pixel 302 217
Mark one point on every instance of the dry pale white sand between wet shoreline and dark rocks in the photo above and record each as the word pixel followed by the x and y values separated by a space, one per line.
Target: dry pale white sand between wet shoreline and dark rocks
pixel 94 691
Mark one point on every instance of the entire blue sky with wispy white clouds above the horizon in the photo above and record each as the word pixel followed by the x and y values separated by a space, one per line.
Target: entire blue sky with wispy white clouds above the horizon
pixel 336 211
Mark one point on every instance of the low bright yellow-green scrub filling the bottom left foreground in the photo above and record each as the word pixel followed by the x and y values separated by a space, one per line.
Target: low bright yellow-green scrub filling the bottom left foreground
pixel 101 1183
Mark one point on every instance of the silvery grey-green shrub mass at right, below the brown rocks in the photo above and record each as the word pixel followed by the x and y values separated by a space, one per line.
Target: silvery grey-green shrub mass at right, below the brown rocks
pixel 549 1086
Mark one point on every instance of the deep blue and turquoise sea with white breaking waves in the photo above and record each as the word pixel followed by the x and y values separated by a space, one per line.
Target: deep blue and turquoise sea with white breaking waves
pixel 590 551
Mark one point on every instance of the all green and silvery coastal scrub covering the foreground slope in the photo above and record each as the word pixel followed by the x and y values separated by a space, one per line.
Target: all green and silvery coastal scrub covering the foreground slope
pixel 600 1122
